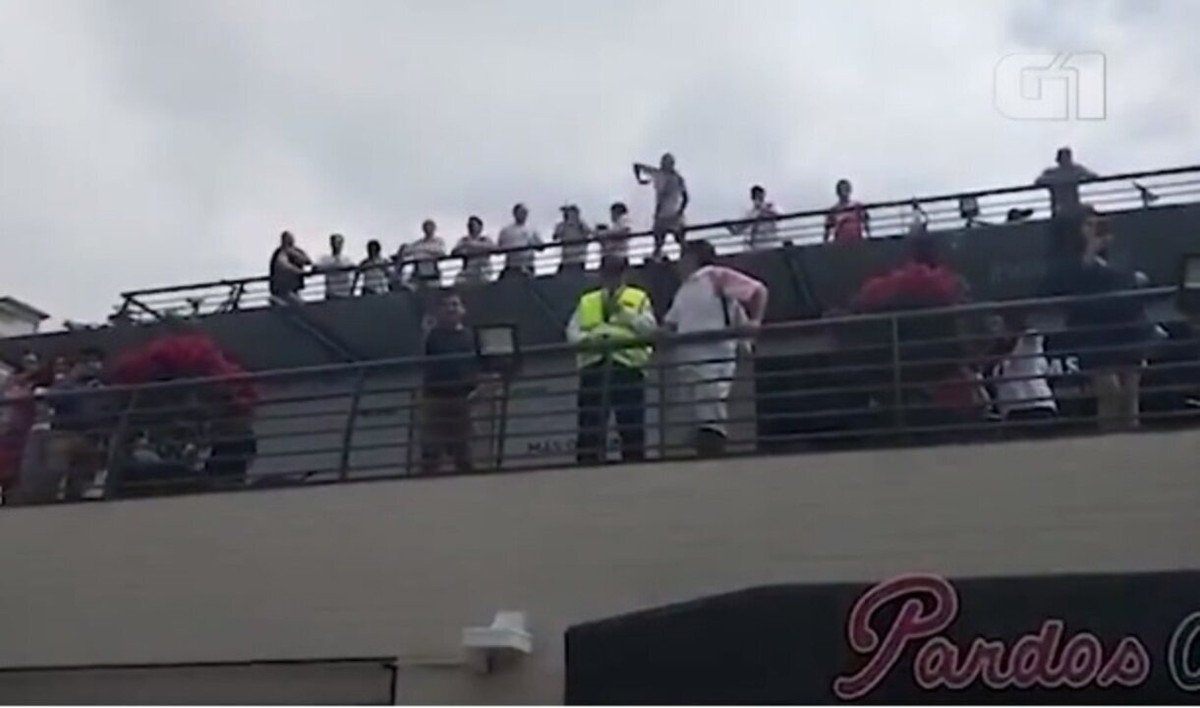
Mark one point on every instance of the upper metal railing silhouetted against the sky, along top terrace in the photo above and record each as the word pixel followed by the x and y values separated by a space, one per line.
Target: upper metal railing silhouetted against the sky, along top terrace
pixel 889 219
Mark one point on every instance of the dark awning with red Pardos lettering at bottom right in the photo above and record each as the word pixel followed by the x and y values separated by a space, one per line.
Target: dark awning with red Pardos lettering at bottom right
pixel 920 639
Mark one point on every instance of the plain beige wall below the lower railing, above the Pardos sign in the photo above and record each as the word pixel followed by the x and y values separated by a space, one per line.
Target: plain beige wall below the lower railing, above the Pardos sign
pixel 400 568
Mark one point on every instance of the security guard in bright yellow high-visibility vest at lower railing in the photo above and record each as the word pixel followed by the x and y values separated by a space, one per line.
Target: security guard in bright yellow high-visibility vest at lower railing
pixel 613 376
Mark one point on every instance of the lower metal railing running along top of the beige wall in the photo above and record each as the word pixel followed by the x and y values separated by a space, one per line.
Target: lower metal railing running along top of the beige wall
pixel 901 379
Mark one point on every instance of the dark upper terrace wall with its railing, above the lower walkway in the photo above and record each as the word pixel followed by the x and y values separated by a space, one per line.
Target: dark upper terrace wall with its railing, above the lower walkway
pixel 1001 261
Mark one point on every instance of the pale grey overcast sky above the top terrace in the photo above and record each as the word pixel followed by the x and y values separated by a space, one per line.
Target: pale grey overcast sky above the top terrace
pixel 153 142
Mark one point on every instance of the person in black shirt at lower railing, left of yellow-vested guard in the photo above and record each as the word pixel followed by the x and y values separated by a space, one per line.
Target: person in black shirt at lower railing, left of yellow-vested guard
pixel 452 375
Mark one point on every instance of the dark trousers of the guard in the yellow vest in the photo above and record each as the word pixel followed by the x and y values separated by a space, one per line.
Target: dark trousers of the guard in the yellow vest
pixel 615 389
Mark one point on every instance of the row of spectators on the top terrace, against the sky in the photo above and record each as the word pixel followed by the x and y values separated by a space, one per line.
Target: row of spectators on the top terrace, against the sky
pixel 419 263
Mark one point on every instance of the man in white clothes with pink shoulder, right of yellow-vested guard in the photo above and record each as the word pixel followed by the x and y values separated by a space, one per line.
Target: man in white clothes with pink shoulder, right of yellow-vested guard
pixel 712 298
